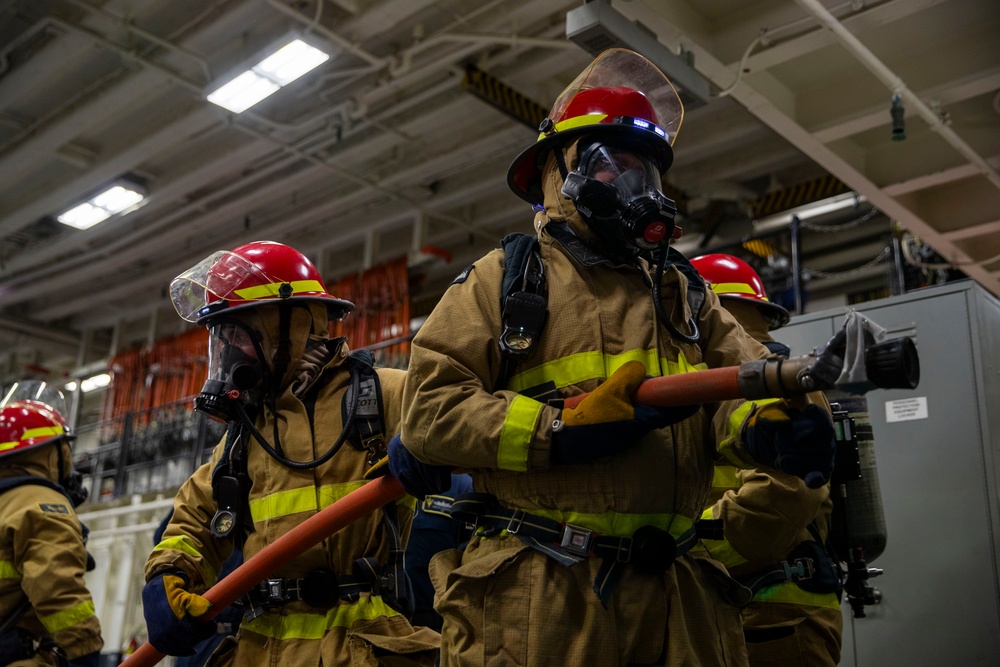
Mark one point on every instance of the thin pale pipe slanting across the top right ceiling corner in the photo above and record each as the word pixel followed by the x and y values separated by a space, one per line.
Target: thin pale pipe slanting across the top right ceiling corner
pixel 896 85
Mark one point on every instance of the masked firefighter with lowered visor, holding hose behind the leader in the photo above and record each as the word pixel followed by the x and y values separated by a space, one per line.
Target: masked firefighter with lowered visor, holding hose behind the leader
pixel 305 420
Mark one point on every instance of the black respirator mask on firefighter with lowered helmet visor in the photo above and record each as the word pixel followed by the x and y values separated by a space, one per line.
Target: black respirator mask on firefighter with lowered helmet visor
pixel 235 370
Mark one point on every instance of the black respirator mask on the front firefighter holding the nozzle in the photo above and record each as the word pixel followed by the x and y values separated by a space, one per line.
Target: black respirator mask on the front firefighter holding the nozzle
pixel 616 191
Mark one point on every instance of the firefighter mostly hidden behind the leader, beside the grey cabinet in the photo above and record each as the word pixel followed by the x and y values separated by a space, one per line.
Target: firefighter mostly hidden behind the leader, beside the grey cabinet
pixel 775 526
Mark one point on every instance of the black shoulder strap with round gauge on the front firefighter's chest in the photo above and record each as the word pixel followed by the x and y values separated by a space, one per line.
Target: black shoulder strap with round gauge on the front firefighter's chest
pixel 523 301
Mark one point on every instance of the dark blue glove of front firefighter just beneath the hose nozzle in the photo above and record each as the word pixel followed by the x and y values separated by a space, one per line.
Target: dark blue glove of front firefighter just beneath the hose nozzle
pixel 799 442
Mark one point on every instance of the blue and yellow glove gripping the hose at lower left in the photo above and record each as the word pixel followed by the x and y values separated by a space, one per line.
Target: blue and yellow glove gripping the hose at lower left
pixel 171 615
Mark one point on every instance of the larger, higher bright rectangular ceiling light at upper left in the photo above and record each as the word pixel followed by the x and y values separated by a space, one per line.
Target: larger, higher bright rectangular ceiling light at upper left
pixel 269 75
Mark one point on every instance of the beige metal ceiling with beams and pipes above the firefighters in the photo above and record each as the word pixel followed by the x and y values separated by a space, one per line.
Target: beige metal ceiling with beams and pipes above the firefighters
pixel 381 151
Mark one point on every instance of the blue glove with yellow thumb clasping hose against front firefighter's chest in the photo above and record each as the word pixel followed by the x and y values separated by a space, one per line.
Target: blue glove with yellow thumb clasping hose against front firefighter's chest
pixel 606 422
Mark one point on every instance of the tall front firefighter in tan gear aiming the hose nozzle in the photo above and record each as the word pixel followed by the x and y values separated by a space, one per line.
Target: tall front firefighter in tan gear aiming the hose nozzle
pixel 585 516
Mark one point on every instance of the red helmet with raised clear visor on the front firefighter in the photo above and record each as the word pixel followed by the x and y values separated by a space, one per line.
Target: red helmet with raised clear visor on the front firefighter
pixel 621 95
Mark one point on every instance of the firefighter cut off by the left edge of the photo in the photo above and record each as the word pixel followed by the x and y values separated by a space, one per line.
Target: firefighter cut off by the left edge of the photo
pixel 46 612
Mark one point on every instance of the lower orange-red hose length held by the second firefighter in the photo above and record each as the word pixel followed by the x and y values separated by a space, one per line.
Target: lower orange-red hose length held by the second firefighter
pixel 314 530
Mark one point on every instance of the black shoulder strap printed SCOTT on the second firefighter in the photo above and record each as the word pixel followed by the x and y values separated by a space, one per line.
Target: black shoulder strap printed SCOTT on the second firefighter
pixel 366 432
